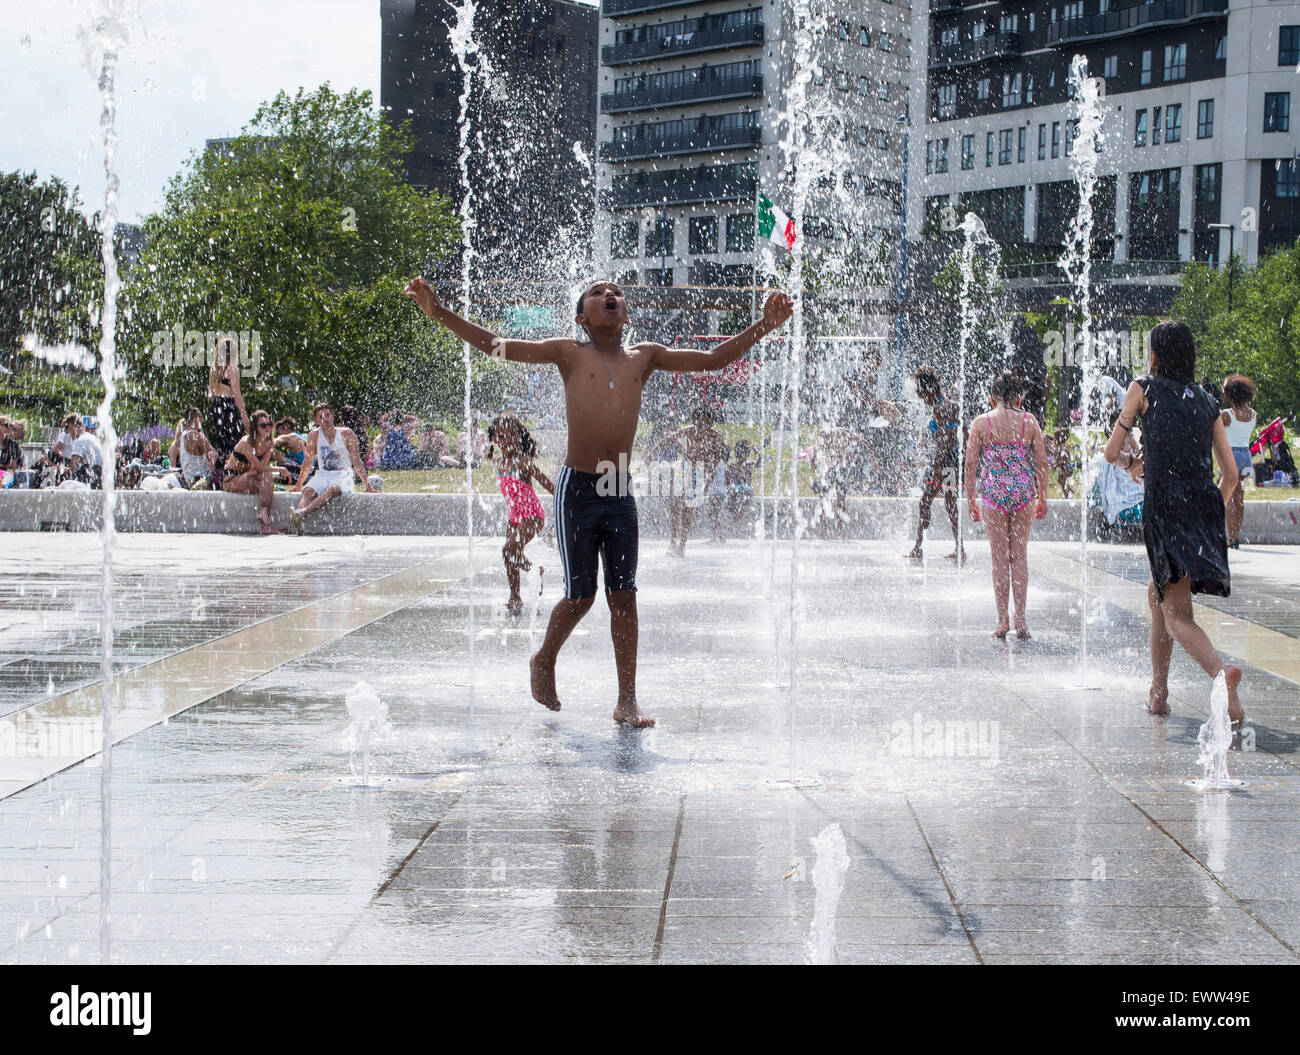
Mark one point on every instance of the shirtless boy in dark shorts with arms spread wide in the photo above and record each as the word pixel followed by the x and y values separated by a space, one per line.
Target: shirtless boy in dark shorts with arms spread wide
pixel 597 516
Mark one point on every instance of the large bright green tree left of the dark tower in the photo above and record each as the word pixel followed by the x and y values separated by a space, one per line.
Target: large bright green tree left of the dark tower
pixel 301 231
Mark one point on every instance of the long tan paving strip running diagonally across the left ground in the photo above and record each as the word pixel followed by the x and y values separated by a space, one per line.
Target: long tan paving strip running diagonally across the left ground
pixel 414 584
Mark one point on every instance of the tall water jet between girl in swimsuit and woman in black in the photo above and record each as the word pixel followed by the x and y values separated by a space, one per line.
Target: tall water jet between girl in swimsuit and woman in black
pixel 1086 95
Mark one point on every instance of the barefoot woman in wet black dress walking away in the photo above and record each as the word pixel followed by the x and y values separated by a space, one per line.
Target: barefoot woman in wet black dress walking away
pixel 1182 509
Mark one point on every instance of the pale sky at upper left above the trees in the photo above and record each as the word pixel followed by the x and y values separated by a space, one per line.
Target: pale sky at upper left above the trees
pixel 194 72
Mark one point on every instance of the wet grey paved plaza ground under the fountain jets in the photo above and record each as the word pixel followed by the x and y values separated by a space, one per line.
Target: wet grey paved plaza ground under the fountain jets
pixel 996 805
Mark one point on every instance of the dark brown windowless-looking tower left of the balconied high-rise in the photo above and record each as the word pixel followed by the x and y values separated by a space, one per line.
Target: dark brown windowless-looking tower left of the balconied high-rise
pixel 532 118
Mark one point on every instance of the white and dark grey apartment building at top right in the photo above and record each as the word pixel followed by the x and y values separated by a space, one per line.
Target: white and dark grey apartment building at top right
pixel 1199 144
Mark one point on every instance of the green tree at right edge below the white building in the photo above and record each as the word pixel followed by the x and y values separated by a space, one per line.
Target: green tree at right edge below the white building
pixel 1259 336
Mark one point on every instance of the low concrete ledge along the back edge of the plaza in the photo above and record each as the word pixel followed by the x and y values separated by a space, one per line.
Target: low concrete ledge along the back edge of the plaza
pixel 1267 523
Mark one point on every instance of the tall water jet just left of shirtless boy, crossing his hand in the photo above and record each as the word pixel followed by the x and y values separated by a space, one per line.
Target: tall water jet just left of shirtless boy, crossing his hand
pixel 461 36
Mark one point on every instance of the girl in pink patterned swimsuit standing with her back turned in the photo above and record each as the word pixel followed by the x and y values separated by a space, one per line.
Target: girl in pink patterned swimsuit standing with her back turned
pixel 1007 461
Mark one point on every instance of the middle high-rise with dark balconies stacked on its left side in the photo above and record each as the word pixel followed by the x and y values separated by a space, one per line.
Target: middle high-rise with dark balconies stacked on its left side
pixel 694 110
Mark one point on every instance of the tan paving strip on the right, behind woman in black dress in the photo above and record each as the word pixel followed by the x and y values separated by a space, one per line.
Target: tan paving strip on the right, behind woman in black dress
pixel 1260 646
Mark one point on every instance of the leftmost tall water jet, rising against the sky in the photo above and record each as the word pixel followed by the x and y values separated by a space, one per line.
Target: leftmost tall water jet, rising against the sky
pixel 103 42
